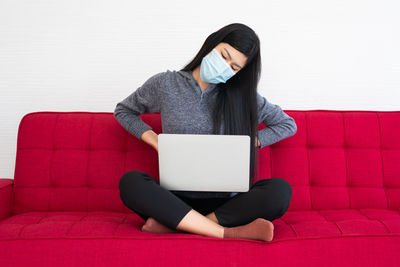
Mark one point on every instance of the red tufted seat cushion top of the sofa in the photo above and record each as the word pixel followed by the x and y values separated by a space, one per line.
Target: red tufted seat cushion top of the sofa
pixel 293 225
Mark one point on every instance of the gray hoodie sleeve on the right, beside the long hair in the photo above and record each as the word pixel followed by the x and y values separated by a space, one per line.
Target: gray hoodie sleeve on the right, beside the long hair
pixel 280 125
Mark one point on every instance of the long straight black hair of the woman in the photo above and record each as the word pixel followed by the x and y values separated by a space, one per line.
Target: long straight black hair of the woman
pixel 236 103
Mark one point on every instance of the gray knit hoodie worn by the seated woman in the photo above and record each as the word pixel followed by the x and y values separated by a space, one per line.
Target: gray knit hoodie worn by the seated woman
pixel 185 109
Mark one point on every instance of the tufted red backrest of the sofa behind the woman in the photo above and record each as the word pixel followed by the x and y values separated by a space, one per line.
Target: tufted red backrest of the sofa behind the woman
pixel 72 161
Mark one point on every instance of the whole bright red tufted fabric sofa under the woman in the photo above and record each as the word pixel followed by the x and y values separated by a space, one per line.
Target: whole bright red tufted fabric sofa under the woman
pixel 63 206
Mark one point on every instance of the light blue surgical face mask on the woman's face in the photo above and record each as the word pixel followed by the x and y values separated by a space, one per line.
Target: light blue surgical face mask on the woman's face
pixel 214 68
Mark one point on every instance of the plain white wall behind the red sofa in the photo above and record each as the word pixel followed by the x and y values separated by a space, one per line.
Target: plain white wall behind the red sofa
pixel 81 55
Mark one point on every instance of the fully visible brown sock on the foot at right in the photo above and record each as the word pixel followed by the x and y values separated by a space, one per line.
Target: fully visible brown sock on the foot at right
pixel 259 229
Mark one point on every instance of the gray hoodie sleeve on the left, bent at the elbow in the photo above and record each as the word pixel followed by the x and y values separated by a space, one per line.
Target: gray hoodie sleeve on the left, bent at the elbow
pixel 145 99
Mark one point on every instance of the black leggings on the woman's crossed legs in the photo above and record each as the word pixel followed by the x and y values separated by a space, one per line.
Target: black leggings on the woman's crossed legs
pixel 267 198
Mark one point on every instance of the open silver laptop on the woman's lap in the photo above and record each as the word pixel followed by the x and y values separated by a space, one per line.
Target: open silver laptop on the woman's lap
pixel 204 162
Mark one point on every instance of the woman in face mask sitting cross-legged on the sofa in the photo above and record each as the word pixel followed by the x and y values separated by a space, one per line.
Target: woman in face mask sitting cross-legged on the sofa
pixel 216 93
